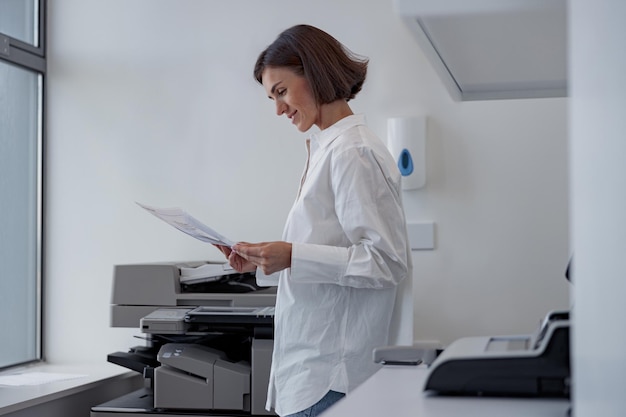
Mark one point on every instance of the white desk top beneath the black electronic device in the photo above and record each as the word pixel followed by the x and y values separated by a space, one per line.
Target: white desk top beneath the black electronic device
pixel 397 391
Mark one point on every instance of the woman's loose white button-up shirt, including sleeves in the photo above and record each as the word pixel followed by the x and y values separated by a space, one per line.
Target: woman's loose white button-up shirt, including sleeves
pixel 349 251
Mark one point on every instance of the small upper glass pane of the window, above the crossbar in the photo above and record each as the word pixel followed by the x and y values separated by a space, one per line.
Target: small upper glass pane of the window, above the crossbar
pixel 18 19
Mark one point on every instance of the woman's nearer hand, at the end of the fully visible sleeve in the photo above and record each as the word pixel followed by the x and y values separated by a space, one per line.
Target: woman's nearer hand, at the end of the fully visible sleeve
pixel 269 256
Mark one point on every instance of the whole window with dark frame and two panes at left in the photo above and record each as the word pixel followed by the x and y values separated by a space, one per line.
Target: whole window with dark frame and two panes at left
pixel 22 77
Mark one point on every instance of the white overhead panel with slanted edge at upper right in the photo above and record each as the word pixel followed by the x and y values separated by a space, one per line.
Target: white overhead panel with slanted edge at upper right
pixel 499 50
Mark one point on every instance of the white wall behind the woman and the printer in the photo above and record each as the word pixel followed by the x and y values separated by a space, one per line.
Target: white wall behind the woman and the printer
pixel 154 101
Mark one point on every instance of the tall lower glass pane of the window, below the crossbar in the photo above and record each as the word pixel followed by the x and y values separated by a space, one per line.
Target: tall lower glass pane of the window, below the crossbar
pixel 20 138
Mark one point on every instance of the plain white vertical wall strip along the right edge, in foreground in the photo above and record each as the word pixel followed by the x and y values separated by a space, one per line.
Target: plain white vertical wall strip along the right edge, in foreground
pixel 598 178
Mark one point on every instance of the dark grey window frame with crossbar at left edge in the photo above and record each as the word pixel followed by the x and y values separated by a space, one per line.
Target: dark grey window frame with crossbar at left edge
pixel 33 58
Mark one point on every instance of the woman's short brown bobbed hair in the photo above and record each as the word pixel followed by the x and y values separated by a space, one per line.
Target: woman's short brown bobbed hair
pixel 333 71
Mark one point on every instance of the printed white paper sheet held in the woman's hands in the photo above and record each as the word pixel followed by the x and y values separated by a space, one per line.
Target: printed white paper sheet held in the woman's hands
pixel 186 223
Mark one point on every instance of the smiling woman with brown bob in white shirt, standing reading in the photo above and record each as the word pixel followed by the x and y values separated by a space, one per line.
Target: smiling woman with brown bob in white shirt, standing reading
pixel 345 247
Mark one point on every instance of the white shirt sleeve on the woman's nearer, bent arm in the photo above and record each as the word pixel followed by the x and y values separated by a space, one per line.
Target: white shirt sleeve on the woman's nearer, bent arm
pixel 369 208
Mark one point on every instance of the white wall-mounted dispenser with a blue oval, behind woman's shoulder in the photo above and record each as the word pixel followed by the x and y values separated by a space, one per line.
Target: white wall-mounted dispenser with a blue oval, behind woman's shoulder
pixel 406 140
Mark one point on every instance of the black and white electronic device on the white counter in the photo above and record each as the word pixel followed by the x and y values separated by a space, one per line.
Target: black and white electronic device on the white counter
pixel 535 365
